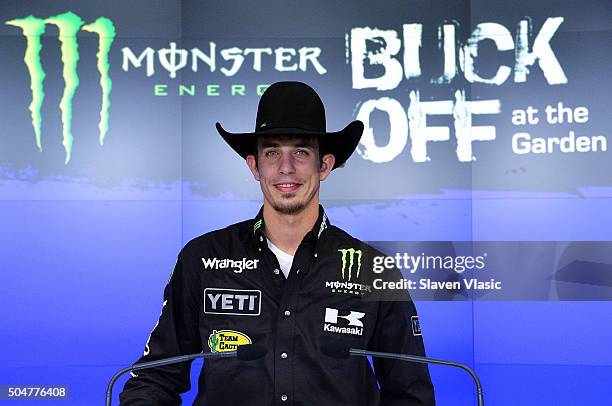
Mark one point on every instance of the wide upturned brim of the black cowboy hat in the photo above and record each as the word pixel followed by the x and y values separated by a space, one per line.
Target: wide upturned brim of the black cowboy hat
pixel 341 143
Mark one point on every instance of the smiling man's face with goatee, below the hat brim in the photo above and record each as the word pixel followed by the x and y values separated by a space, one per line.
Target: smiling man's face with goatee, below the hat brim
pixel 289 172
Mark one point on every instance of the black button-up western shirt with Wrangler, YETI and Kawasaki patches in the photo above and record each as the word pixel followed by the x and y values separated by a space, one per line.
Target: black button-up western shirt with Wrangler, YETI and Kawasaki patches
pixel 227 289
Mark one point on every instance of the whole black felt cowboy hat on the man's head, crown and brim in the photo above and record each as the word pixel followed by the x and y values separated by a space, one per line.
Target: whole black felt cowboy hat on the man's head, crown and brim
pixel 294 108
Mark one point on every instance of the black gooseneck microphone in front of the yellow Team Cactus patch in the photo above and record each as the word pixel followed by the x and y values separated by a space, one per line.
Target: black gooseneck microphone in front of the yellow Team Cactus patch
pixel 248 352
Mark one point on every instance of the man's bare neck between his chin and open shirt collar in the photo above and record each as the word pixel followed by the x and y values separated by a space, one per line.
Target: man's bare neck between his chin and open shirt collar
pixel 287 231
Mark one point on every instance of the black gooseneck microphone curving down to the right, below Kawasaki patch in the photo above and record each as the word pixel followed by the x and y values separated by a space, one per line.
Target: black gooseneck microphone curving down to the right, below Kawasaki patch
pixel 338 350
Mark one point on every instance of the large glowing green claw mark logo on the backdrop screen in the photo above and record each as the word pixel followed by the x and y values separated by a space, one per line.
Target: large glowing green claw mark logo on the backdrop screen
pixel 68 25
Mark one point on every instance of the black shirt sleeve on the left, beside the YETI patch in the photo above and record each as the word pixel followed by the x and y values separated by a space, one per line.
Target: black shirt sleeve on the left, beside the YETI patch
pixel 175 333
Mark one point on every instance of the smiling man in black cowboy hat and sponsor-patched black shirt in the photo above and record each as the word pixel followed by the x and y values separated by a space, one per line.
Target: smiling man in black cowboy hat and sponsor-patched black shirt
pixel 288 281
